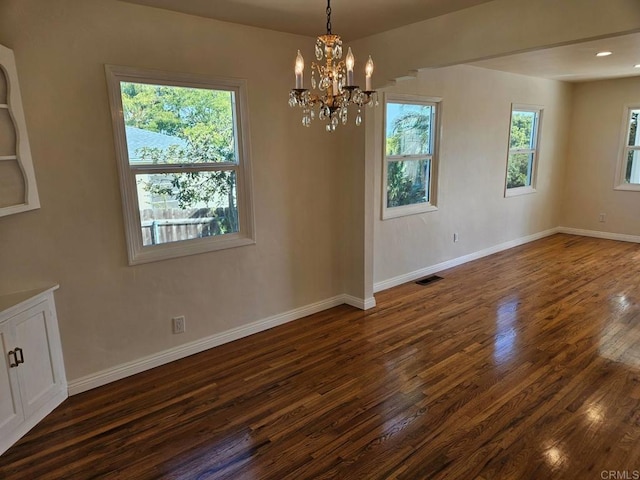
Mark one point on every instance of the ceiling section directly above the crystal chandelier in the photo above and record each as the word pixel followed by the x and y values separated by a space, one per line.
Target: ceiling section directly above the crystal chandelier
pixel 351 19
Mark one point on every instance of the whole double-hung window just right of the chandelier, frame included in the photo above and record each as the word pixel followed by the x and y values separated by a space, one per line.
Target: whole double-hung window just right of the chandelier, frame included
pixel 410 162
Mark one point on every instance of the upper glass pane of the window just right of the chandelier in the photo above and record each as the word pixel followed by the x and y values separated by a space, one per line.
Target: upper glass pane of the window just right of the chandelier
pixel 408 129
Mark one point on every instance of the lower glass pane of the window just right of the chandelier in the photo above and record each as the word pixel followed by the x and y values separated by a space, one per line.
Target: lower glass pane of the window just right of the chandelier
pixel 408 182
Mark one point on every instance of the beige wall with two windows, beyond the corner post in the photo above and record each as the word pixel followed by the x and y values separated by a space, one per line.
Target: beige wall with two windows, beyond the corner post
pixel 475 108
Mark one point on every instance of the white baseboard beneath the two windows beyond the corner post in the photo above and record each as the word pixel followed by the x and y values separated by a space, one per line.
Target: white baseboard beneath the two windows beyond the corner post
pixel 454 262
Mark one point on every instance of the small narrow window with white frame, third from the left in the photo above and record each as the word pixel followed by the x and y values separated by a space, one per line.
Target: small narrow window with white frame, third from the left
pixel 523 149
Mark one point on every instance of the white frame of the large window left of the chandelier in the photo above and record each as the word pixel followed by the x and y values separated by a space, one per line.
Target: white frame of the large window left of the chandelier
pixel 137 252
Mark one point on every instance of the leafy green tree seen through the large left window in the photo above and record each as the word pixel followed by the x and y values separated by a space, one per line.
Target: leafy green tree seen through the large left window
pixel 203 119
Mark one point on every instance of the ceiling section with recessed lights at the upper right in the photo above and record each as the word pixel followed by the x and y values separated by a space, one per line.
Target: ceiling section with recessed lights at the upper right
pixel 575 63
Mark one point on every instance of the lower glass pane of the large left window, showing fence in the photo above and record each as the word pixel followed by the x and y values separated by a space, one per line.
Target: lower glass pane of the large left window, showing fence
pixel 182 206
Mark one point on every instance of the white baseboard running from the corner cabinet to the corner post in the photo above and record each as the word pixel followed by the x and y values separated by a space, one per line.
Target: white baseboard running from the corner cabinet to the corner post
pixel 146 363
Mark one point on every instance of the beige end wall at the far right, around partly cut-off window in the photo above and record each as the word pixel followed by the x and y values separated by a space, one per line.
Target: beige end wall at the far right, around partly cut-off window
pixel 596 130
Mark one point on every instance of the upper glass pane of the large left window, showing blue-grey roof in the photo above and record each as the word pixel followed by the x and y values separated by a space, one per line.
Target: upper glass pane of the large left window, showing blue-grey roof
pixel 165 124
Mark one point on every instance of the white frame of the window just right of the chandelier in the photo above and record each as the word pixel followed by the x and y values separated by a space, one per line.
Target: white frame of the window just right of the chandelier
pixel 431 205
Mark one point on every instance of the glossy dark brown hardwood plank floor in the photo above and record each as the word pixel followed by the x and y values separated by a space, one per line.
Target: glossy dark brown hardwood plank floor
pixel 521 365
